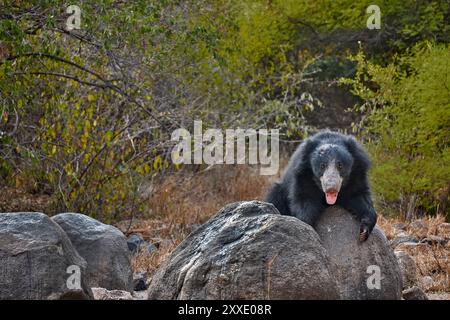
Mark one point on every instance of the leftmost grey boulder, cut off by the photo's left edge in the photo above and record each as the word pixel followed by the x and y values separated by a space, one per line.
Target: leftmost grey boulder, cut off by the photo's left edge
pixel 35 257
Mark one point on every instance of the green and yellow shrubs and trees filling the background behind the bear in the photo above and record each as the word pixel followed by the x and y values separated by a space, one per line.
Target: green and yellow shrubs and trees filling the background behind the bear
pixel 86 115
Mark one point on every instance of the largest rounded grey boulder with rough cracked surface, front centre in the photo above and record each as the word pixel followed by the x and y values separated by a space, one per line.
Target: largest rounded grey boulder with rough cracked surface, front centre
pixel 247 251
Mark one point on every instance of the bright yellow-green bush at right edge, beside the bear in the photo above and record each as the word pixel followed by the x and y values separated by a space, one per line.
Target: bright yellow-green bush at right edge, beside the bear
pixel 407 104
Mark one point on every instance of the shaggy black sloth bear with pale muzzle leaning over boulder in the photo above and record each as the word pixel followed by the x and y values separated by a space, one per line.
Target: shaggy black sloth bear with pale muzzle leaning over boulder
pixel 327 169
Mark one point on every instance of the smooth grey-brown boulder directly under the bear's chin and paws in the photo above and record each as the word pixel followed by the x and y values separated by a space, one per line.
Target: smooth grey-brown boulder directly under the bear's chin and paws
pixel 355 263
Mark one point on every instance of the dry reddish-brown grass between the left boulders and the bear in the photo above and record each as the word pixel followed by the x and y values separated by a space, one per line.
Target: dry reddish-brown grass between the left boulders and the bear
pixel 180 204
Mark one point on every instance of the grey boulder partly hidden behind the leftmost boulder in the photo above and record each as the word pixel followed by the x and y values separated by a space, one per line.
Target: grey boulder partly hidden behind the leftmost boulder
pixel 104 248
